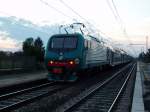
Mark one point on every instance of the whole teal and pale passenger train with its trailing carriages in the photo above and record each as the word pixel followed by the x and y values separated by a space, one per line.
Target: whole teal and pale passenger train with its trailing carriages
pixel 67 55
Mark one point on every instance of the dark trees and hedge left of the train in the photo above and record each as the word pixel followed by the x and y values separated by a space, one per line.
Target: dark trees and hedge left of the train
pixel 32 55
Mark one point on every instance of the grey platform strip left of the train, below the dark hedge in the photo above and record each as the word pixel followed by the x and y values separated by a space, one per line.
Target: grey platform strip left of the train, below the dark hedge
pixel 19 78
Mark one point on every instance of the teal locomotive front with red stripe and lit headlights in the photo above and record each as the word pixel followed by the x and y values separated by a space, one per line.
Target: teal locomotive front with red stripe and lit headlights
pixel 63 56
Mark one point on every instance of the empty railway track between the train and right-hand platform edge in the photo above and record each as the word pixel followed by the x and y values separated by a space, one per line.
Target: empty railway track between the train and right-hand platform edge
pixel 102 97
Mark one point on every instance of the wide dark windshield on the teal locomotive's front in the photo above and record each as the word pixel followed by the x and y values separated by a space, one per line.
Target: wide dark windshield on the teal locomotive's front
pixel 63 43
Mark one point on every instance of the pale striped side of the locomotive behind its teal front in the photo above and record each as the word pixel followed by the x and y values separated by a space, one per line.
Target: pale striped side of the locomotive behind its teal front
pixel 95 53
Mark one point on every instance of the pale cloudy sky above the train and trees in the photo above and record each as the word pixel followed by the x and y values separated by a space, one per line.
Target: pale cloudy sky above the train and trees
pixel 125 22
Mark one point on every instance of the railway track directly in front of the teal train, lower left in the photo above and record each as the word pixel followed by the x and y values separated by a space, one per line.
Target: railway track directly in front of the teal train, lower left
pixel 18 98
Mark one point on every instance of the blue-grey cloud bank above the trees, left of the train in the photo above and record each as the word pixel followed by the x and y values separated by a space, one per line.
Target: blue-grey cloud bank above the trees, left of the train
pixel 20 29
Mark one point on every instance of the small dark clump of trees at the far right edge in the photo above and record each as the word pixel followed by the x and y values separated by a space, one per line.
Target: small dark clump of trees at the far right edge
pixel 145 57
